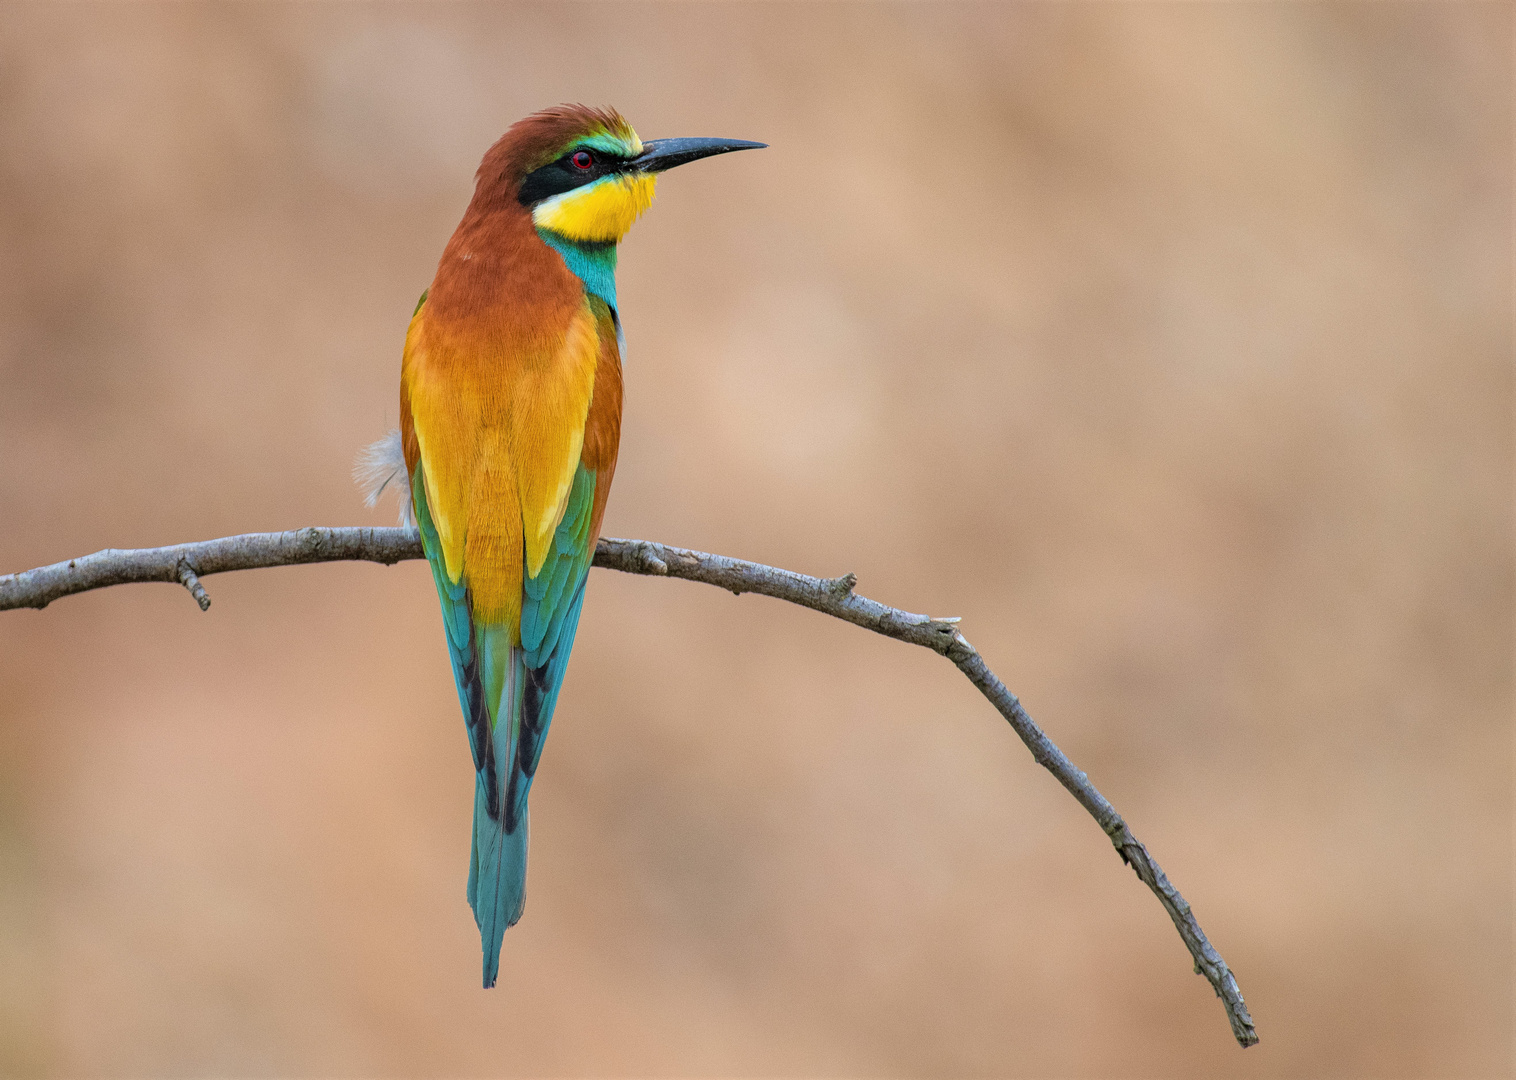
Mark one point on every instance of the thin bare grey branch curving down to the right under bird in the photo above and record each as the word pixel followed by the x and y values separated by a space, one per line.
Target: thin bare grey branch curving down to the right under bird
pixel 189 564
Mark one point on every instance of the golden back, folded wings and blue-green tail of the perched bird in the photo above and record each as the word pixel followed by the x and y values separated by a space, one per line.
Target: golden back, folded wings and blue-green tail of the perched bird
pixel 510 459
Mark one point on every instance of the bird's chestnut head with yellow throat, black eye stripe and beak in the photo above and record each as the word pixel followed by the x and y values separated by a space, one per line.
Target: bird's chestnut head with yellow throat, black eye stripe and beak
pixel 583 174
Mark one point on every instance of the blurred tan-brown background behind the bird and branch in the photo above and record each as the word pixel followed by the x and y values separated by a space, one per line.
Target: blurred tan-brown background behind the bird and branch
pixel 1168 345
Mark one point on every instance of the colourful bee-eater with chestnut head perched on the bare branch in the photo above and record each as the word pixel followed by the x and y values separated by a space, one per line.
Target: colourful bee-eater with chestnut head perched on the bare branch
pixel 510 429
